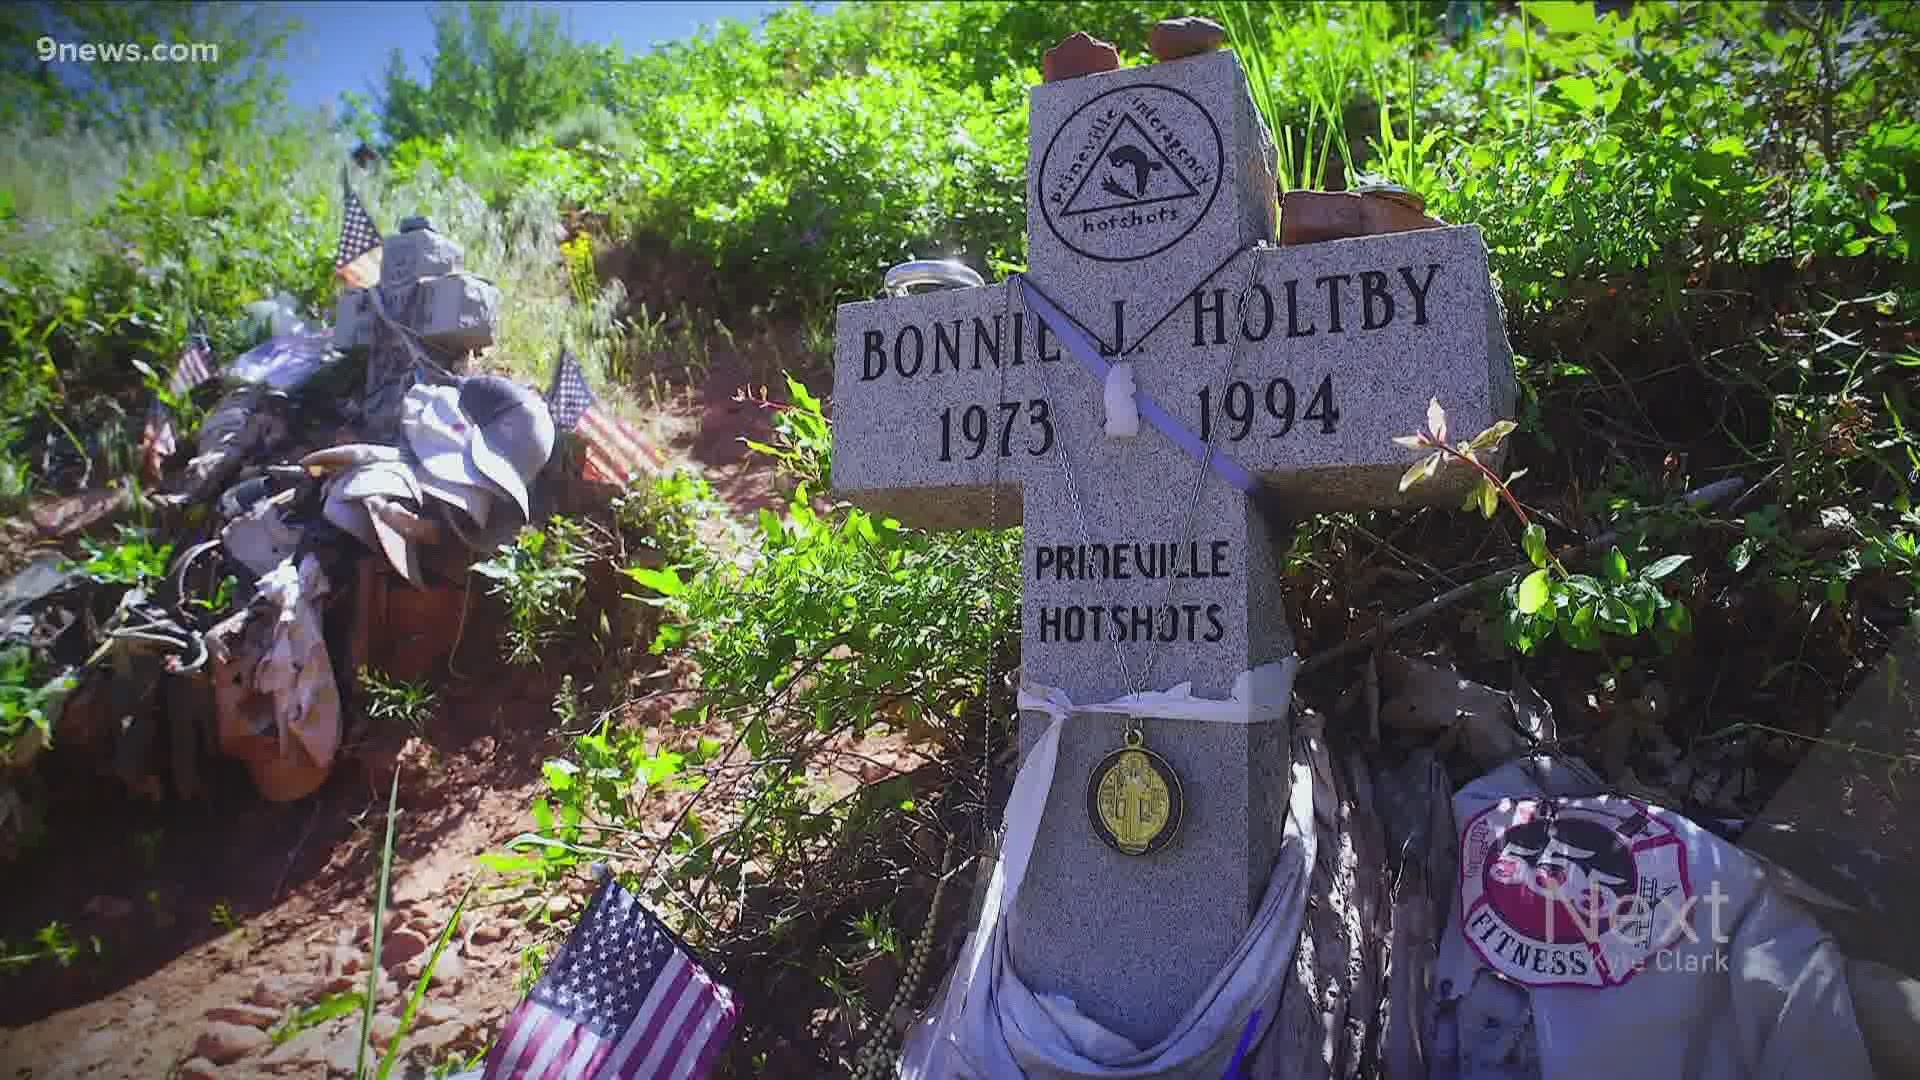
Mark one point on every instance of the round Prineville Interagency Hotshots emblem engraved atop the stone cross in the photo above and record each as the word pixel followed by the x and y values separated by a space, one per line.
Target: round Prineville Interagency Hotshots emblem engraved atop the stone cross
pixel 1130 174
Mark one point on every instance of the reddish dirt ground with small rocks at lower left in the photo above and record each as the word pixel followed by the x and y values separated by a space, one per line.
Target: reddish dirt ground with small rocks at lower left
pixel 206 925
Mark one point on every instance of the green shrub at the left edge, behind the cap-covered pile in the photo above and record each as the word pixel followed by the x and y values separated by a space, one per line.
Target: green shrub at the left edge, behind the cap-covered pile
pixel 108 253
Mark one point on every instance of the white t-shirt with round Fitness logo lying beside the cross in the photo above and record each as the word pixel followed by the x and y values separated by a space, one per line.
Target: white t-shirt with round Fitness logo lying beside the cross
pixel 1600 937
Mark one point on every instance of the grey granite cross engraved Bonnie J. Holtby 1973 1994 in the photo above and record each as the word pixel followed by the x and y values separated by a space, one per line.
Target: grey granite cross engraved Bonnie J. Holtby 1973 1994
pixel 1151 218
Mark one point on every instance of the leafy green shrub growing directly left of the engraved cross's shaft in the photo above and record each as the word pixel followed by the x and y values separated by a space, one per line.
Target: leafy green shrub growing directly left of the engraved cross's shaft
pixel 838 622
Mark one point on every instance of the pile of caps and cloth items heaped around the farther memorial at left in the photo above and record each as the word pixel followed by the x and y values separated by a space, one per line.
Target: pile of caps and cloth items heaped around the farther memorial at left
pixel 322 522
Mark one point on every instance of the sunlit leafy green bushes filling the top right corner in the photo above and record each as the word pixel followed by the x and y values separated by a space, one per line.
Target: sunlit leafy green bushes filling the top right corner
pixel 1671 141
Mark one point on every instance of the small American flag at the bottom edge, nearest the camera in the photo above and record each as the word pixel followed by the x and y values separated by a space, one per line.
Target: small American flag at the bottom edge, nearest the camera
pixel 623 1000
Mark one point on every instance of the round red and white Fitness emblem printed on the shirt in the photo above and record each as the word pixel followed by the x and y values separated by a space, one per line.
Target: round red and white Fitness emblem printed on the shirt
pixel 1572 893
